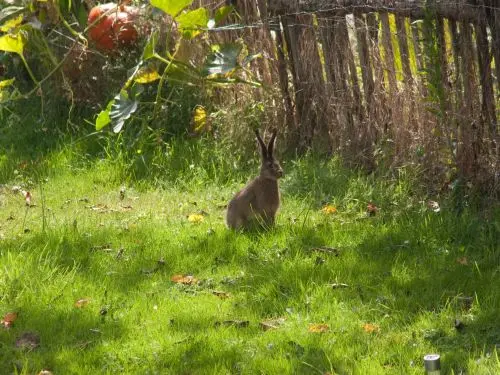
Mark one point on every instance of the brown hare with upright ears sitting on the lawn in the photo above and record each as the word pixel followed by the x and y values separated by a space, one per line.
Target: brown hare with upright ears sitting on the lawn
pixel 260 199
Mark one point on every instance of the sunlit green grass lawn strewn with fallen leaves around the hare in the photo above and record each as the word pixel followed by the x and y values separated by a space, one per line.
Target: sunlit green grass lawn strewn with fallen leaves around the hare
pixel 401 267
